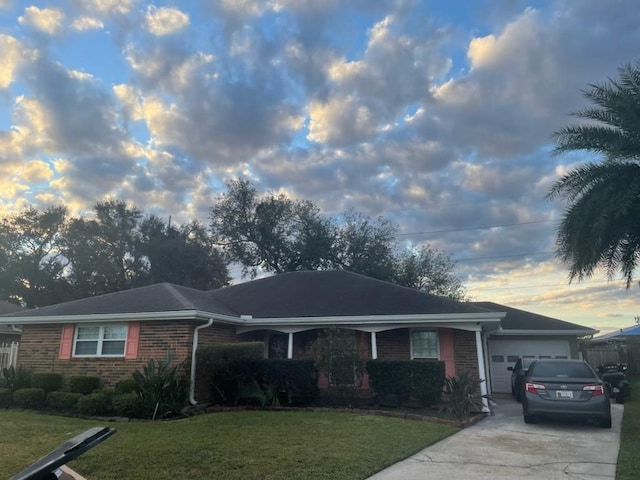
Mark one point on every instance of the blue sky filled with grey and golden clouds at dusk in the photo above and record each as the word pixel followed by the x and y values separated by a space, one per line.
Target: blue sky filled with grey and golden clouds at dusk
pixel 435 114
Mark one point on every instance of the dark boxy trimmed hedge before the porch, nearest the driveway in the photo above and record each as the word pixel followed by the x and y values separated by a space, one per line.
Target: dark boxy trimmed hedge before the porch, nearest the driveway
pixel 423 380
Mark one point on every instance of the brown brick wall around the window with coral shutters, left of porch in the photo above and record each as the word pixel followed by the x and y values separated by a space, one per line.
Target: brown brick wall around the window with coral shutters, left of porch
pixel 40 348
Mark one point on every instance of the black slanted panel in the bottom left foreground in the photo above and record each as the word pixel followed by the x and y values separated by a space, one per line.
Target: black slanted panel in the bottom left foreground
pixel 44 468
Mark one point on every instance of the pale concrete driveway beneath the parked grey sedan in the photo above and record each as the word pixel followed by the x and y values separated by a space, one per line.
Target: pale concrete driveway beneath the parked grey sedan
pixel 502 446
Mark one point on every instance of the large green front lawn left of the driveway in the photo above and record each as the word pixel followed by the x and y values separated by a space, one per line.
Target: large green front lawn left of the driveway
pixel 230 445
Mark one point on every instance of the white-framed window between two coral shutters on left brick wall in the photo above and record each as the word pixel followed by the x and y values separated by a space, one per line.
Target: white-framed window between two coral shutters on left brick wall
pixel 100 340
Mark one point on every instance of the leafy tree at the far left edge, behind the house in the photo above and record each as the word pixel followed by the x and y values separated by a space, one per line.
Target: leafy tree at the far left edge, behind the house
pixel 32 264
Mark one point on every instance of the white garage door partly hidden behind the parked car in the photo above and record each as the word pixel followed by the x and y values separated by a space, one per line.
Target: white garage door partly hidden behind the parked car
pixel 503 354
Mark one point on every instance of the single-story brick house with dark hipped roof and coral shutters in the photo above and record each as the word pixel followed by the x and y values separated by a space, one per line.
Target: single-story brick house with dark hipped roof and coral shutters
pixel 115 334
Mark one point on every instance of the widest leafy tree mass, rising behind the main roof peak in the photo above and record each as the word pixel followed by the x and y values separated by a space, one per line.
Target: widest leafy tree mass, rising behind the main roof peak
pixel 278 235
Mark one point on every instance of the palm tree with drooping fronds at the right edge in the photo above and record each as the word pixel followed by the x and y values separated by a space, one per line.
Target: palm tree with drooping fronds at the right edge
pixel 601 226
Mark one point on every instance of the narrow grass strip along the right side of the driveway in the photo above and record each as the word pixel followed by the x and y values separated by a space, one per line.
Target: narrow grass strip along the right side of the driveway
pixel 628 460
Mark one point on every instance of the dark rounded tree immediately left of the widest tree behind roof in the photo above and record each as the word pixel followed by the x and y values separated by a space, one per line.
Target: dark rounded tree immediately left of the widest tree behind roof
pixel 185 255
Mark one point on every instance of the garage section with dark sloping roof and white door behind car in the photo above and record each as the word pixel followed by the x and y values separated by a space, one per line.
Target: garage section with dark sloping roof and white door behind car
pixel 529 335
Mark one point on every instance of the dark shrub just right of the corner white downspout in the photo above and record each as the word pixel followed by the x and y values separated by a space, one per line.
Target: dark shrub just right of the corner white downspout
pixel 228 367
